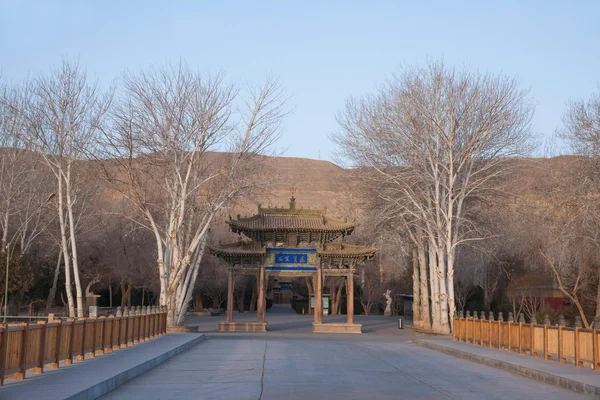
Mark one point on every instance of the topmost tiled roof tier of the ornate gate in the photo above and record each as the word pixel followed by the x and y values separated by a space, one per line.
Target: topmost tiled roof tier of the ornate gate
pixel 275 222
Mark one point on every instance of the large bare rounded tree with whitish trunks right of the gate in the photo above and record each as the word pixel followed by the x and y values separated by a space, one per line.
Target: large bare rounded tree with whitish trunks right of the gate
pixel 438 137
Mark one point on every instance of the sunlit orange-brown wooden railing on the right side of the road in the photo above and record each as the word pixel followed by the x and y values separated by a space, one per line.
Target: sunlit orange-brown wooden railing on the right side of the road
pixel 574 345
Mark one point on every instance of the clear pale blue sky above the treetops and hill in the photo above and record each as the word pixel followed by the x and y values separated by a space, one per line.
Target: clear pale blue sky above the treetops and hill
pixel 322 51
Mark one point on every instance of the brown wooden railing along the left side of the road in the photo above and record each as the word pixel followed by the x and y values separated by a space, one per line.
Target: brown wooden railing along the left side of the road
pixel 46 343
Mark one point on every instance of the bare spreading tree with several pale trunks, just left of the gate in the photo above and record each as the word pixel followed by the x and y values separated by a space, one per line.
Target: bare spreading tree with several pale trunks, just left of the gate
pixel 165 125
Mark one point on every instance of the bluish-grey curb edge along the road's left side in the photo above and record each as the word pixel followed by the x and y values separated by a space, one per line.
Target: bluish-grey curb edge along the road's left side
pixel 101 388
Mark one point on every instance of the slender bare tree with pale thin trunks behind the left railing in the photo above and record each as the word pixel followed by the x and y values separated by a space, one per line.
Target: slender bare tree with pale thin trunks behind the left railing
pixel 63 115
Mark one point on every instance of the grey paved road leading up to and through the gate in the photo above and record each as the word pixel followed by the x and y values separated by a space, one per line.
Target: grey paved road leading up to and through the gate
pixel 290 362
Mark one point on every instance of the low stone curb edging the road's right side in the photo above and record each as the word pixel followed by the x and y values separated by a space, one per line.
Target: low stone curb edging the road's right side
pixel 543 376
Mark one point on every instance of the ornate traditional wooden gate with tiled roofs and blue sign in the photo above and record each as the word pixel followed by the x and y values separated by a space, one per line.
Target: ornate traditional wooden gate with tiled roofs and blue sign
pixel 292 242
